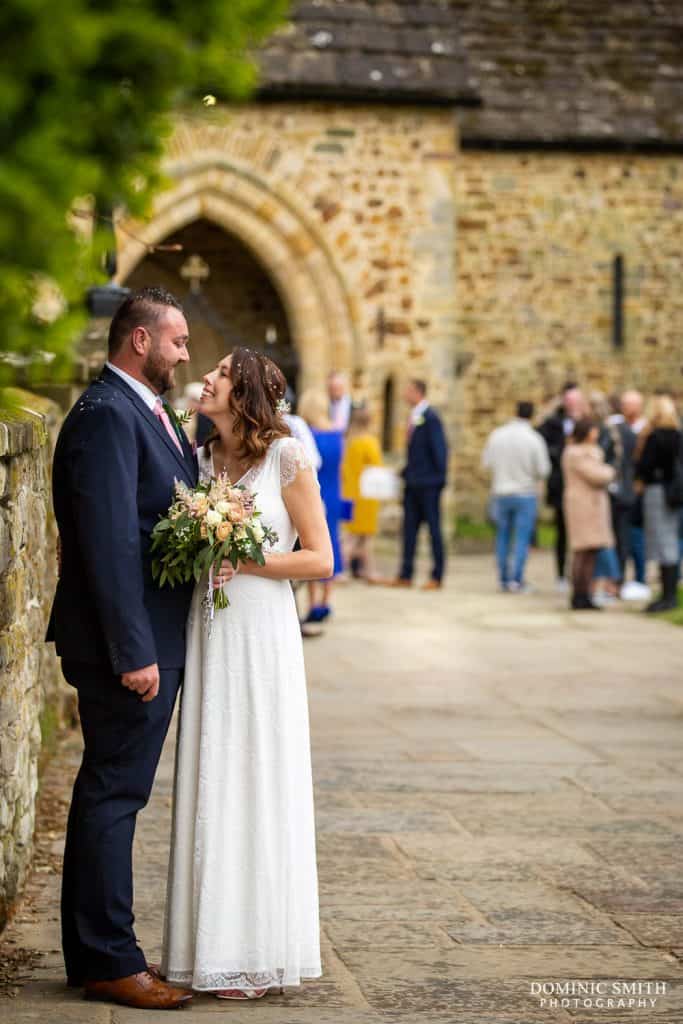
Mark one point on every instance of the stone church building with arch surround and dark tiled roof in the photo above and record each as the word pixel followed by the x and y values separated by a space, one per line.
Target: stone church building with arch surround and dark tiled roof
pixel 442 190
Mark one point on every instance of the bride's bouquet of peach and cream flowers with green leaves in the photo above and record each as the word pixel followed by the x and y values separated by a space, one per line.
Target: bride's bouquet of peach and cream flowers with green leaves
pixel 203 527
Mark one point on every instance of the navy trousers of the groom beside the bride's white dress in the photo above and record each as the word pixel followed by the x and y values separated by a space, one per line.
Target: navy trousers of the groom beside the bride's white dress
pixel 123 739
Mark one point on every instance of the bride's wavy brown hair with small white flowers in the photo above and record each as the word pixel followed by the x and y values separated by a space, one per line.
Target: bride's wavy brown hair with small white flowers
pixel 259 386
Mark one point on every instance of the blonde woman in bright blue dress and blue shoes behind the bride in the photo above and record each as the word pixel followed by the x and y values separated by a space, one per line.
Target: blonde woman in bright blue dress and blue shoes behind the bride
pixel 329 440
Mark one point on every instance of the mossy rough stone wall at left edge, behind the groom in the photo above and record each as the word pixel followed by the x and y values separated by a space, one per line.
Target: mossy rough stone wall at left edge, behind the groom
pixel 32 692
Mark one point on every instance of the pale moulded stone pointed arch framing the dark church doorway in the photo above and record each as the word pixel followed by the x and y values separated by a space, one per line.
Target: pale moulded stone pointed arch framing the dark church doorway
pixel 321 313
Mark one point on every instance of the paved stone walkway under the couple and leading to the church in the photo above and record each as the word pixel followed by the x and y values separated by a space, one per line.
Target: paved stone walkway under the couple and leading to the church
pixel 499 791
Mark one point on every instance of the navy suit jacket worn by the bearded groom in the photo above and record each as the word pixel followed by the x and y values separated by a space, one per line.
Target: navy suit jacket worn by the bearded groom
pixel 114 475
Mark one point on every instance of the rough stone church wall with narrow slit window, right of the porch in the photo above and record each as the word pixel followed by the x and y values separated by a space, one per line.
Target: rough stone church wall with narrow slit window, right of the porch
pixel 537 238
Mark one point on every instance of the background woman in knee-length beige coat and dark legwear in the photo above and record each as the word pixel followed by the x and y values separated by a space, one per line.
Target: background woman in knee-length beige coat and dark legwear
pixel 586 507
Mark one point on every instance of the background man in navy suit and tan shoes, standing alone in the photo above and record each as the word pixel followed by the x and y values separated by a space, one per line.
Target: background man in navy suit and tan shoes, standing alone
pixel 424 476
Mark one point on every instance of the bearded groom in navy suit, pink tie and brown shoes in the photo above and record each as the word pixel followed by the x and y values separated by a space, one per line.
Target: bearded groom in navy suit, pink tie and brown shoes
pixel 121 639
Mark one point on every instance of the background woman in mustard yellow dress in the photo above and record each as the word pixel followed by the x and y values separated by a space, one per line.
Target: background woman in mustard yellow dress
pixel 362 451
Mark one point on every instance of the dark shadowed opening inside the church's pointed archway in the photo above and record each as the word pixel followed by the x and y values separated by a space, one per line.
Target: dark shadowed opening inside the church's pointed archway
pixel 228 296
